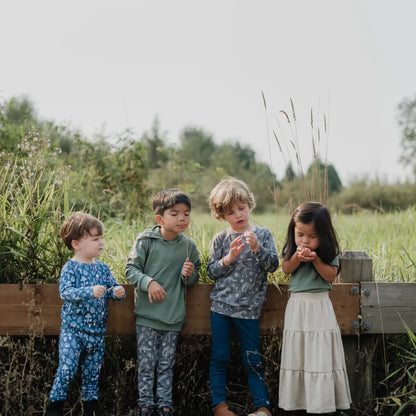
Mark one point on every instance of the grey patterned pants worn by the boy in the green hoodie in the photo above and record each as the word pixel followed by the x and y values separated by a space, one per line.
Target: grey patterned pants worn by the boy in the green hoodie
pixel 155 353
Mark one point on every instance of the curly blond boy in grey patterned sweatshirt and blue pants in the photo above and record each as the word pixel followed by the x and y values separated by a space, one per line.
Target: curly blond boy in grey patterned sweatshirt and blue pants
pixel 240 259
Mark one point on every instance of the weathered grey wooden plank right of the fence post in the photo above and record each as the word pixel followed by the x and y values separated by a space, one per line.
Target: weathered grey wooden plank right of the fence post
pixel 388 307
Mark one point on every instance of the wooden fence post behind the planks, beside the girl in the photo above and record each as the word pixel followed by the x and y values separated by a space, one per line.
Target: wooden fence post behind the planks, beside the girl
pixel 356 267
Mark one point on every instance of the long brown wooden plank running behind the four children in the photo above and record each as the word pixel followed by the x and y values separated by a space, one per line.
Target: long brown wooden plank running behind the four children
pixel 36 309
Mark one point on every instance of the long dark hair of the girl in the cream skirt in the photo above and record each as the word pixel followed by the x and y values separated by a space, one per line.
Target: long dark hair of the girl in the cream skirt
pixel 318 215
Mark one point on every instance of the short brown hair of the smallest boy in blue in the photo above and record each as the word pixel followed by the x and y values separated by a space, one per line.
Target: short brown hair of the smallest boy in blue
pixel 77 225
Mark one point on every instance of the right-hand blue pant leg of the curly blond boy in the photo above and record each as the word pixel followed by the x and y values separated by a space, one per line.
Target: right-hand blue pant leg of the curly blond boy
pixel 248 332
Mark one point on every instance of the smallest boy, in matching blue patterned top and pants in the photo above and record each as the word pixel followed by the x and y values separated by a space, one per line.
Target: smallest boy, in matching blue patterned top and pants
pixel 85 286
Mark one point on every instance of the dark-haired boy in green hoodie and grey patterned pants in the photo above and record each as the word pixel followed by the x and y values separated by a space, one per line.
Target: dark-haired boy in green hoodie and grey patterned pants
pixel 161 264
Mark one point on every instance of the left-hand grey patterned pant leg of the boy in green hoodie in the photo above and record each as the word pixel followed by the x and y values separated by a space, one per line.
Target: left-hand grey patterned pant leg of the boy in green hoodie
pixel 147 339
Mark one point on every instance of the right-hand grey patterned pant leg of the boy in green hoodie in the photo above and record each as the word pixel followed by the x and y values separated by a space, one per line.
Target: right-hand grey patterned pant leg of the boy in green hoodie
pixel 164 371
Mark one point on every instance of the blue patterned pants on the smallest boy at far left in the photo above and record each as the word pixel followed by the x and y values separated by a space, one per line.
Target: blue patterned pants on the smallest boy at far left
pixel 77 347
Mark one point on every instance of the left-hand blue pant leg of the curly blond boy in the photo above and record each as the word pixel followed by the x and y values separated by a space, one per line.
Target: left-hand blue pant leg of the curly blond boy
pixel 220 356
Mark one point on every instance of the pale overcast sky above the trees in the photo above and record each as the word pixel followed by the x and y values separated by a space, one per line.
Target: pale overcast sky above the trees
pixel 111 65
